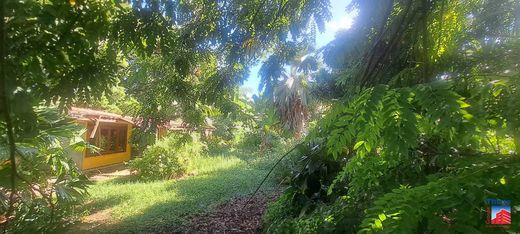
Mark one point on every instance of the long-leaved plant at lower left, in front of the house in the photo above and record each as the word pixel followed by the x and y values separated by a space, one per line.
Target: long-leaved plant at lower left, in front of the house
pixel 49 185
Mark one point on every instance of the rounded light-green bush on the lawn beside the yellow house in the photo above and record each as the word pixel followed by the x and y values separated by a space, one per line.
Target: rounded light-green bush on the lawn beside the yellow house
pixel 168 158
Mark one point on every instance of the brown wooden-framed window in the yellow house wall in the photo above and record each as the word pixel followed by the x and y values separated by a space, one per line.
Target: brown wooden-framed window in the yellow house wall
pixel 110 138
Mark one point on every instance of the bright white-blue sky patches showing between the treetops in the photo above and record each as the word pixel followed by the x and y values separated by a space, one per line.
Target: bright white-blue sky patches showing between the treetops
pixel 340 21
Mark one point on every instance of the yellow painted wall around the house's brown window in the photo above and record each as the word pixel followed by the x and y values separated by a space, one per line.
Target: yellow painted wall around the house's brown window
pixel 108 159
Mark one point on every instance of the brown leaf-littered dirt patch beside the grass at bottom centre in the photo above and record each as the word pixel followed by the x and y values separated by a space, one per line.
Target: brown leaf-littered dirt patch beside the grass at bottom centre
pixel 231 217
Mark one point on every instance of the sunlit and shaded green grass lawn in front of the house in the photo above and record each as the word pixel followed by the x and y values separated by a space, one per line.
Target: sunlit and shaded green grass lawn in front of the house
pixel 129 205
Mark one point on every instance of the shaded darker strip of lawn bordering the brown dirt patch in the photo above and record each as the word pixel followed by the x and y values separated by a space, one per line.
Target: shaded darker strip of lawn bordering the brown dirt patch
pixel 192 195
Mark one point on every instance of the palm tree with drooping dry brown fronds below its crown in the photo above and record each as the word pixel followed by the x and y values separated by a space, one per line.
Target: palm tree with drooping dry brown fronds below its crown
pixel 289 91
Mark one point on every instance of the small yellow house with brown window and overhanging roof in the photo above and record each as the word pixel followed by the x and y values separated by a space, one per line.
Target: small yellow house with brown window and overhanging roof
pixel 107 131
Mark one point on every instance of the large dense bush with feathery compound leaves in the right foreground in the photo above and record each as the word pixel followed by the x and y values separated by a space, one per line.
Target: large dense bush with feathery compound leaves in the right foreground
pixel 415 159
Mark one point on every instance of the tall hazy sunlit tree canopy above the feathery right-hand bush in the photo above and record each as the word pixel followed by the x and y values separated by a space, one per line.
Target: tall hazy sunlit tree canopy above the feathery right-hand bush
pixel 400 41
